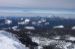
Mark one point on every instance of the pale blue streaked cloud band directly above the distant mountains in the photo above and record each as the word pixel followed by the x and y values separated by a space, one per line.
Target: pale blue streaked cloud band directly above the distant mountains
pixel 33 12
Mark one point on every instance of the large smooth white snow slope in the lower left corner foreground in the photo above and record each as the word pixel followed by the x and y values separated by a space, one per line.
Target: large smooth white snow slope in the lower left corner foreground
pixel 9 41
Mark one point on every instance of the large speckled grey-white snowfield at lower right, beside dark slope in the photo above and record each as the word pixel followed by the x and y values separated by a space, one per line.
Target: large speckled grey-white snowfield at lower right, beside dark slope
pixel 59 43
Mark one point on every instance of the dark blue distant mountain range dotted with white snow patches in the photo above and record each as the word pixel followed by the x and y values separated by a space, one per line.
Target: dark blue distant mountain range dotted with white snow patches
pixel 37 22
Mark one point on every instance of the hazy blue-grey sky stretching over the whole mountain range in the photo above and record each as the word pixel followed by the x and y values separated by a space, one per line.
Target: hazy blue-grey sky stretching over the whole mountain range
pixel 32 6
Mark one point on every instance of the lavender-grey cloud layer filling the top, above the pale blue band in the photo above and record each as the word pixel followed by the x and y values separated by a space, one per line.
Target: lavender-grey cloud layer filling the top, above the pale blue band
pixel 39 3
